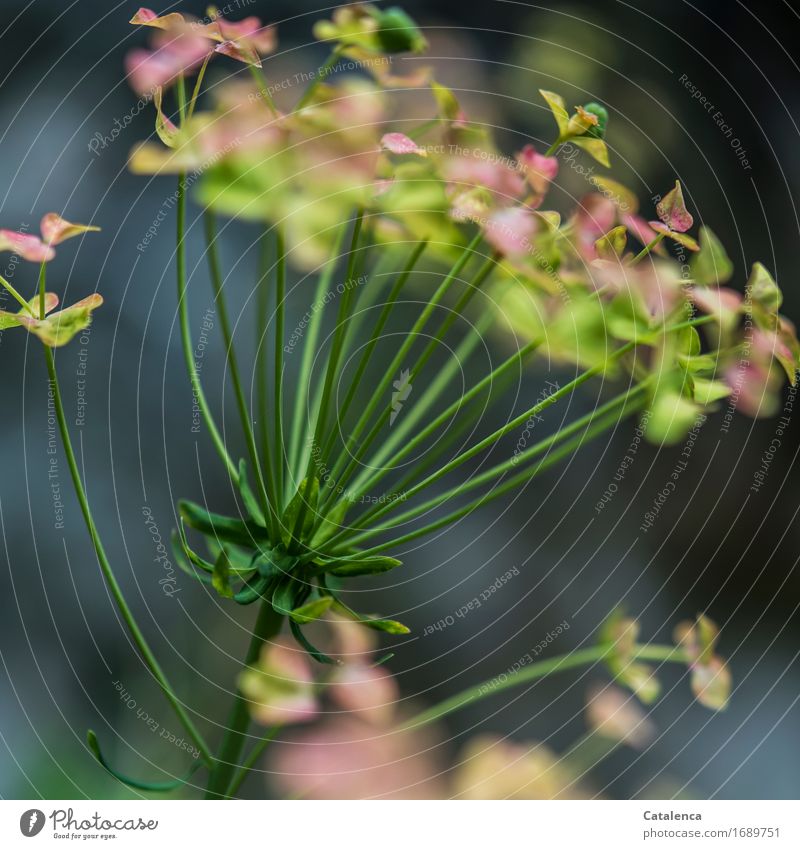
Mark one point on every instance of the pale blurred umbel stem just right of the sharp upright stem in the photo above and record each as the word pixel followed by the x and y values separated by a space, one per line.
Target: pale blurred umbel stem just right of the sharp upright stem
pixel 303 422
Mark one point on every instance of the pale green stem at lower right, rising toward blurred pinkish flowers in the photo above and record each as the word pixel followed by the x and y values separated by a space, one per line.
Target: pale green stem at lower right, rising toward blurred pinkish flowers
pixel 540 669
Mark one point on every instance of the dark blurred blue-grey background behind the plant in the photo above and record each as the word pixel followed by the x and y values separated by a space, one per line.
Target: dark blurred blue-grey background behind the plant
pixel 717 547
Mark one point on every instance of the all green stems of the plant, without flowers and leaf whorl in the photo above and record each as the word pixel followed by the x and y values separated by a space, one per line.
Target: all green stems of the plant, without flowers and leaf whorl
pixel 284 453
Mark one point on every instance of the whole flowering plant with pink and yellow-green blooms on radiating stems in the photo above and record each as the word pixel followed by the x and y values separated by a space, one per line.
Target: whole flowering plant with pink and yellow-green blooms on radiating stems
pixel 348 191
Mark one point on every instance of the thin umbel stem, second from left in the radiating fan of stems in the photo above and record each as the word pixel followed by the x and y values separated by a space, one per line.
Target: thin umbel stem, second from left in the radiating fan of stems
pixel 267 497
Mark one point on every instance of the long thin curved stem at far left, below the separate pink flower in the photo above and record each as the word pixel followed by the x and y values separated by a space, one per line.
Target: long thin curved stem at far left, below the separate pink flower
pixel 108 574
